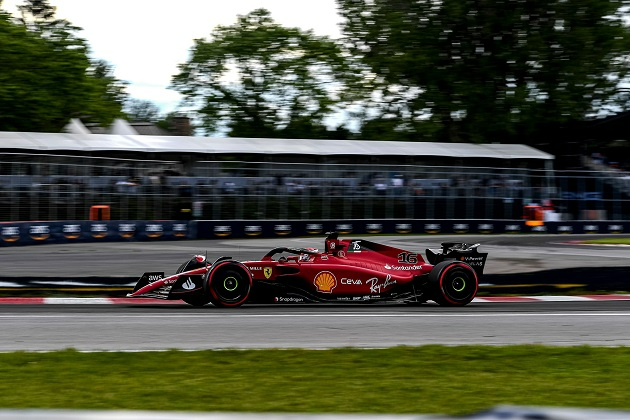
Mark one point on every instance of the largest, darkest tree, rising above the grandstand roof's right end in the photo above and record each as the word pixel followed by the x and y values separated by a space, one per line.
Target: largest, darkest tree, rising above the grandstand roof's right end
pixel 481 70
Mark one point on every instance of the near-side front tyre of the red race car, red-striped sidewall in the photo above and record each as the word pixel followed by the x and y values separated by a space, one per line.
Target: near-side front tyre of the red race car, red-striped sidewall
pixel 228 284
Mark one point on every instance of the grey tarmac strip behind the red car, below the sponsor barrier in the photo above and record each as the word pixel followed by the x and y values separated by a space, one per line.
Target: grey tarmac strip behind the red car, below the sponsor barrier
pixel 509 254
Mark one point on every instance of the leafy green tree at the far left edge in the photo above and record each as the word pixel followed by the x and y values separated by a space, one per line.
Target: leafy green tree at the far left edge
pixel 47 77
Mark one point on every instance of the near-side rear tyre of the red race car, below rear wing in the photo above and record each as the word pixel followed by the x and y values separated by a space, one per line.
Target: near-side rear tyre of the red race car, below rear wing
pixel 454 283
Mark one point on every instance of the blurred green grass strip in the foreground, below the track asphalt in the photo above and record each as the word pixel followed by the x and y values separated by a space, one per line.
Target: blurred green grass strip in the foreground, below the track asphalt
pixel 428 379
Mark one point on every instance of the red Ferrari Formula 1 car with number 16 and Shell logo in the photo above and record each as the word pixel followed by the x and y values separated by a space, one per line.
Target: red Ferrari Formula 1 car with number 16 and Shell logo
pixel 348 270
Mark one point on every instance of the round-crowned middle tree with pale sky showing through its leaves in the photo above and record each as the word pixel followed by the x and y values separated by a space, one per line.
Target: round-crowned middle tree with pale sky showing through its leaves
pixel 259 79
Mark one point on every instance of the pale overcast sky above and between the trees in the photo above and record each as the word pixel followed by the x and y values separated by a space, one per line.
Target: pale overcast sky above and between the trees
pixel 145 40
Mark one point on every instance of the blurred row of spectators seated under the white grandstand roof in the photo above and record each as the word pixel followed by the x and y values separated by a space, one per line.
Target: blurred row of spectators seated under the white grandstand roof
pixel 372 185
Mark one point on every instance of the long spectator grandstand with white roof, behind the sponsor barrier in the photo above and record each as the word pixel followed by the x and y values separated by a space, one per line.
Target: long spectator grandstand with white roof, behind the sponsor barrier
pixel 55 176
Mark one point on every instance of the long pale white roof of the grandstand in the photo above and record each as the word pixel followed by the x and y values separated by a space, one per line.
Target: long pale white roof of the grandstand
pixel 66 142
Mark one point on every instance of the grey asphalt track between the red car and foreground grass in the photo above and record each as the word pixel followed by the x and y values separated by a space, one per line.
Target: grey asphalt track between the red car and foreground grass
pixel 140 327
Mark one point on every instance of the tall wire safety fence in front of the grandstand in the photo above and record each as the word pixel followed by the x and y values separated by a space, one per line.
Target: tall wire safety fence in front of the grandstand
pixel 54 187
